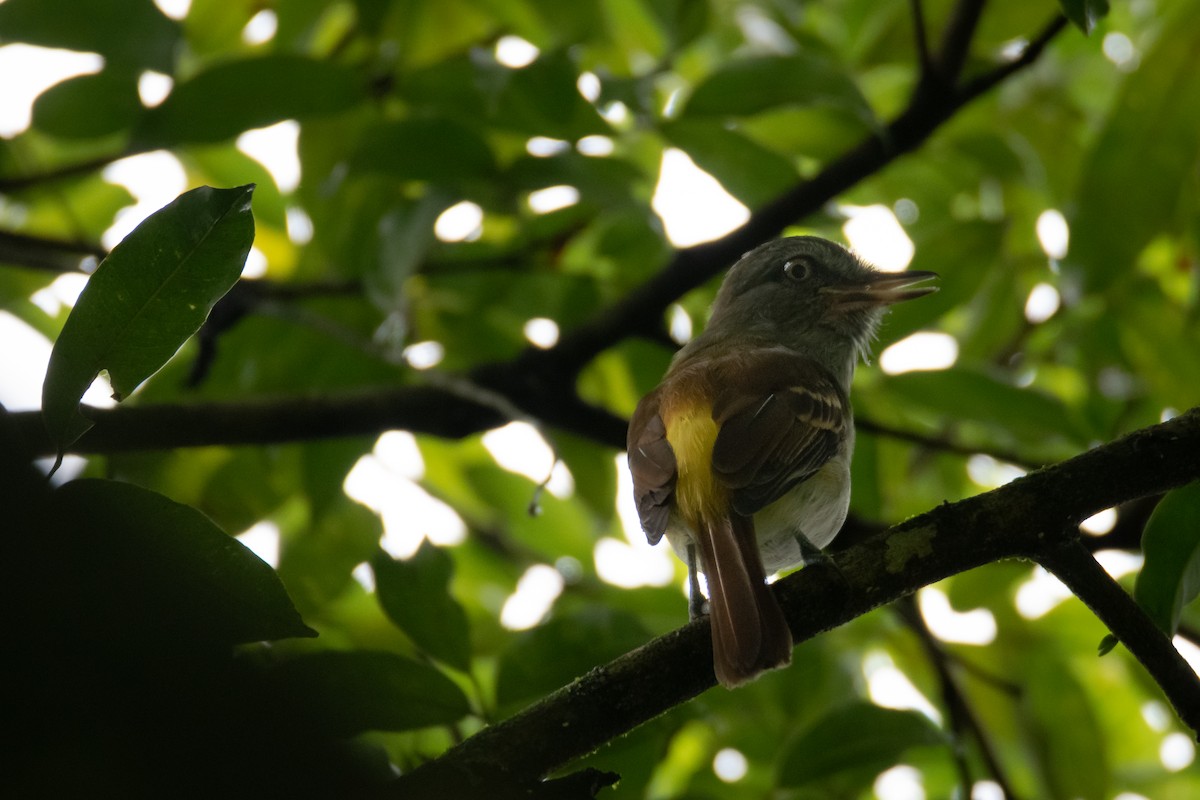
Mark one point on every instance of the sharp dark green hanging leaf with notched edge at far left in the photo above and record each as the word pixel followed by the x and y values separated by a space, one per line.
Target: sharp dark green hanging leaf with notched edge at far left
pixel 153 292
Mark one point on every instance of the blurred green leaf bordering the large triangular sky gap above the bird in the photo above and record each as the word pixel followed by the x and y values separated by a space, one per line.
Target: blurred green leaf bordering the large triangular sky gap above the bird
pixel 751 172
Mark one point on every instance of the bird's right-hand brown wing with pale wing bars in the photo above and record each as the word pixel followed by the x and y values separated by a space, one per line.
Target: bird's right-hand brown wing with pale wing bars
pixel 782 418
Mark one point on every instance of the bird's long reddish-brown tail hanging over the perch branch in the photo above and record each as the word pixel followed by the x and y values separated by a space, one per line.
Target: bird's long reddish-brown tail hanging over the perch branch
pixel 749 631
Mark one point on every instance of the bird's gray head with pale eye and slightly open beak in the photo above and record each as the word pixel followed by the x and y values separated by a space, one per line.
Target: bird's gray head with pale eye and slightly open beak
pixel 806 292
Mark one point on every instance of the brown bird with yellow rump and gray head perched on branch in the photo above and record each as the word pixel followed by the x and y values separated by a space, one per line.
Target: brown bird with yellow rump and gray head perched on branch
pixel 741 456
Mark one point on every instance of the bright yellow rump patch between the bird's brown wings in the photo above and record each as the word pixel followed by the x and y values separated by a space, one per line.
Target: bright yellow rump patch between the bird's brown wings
pixel 692 434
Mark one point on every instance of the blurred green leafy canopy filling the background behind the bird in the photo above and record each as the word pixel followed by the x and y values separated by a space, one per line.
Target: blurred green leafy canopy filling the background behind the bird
pixel 134 598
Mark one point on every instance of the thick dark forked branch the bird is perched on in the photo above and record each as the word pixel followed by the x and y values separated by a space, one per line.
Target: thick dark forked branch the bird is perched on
pixel 1031 519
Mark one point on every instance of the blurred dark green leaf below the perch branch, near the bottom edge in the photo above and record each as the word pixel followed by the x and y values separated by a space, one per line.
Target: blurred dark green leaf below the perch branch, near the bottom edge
pixel 855 742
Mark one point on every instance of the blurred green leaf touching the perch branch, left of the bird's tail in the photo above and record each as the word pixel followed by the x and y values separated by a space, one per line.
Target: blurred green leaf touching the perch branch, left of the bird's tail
pixel 557 653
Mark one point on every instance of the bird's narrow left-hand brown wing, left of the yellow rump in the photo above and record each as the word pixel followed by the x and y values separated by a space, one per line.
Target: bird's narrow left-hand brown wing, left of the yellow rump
pixel 653 465
